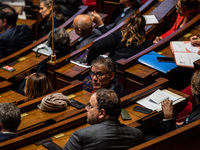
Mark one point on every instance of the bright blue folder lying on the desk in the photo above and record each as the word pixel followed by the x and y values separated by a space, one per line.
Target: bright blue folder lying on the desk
pixel 150 59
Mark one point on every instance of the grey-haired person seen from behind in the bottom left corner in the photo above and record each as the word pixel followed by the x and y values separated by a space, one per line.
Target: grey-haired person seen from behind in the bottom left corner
pixel 10 119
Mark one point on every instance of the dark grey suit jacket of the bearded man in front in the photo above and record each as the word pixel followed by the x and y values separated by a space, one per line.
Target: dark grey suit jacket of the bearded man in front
pixel 108 134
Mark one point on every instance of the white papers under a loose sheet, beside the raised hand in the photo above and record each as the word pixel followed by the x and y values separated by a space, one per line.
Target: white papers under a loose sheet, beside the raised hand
pixel 146 102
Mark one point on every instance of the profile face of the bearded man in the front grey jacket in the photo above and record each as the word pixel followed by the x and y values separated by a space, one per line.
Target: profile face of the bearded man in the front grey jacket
pixel 92 110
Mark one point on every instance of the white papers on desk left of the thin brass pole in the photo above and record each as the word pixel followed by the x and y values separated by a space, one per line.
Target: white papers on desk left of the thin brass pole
pixel 43 49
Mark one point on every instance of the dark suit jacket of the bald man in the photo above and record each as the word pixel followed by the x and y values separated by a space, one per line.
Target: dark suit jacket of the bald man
pixel 89 38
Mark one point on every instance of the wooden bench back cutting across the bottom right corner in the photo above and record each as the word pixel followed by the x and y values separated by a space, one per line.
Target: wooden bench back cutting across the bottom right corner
pixel 186 137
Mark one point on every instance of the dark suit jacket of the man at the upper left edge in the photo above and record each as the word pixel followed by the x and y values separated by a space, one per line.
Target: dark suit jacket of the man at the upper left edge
pixel 14 39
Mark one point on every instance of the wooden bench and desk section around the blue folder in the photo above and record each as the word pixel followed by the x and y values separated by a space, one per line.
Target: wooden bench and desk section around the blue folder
pixel 131 73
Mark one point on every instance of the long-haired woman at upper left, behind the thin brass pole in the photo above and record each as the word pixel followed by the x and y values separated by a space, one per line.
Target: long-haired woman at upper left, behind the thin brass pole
pixel 45 11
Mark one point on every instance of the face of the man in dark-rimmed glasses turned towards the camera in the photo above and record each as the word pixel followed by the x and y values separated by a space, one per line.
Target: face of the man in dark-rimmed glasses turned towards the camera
pixel 100 77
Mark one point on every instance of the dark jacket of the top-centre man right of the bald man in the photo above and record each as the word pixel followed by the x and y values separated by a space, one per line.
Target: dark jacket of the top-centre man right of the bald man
pixel 119 17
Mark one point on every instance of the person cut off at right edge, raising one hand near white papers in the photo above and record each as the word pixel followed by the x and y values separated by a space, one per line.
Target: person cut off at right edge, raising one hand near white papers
pixel 168 107
